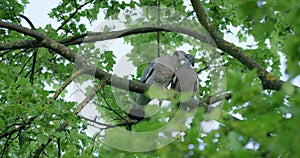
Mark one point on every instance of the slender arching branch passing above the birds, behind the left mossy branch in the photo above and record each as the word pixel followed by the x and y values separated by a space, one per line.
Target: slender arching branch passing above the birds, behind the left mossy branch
pixel 101 36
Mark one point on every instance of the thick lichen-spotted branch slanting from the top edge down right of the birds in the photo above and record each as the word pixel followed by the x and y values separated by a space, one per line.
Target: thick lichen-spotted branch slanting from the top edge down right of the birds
pixel 268 80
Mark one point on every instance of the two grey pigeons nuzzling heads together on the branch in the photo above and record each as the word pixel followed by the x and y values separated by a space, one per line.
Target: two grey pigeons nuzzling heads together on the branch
pixel 177 70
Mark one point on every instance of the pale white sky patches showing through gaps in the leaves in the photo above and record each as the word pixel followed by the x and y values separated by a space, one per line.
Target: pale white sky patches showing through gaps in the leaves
pixel 37 11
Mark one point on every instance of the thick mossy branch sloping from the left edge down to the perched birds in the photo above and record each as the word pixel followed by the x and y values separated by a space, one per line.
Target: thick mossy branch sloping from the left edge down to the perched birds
pixel 78 60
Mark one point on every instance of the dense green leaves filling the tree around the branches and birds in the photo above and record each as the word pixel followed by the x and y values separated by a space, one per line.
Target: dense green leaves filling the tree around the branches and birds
pixel 30 118
